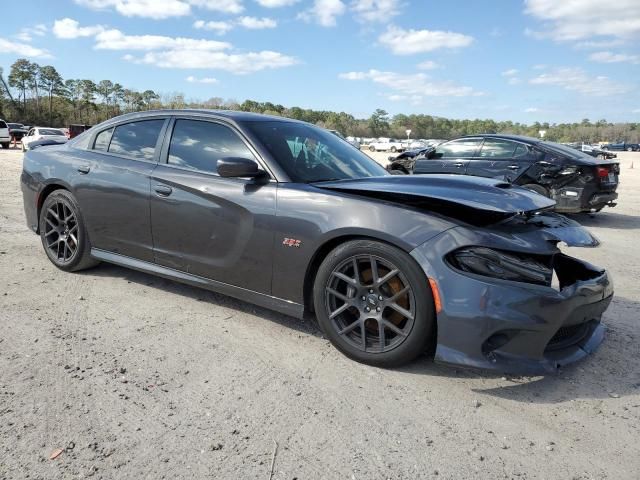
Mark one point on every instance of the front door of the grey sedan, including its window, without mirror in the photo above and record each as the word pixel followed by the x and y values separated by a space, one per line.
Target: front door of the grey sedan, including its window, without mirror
pixel 214 227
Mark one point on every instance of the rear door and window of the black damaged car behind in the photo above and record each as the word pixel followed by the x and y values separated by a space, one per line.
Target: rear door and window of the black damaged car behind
pixel 500 158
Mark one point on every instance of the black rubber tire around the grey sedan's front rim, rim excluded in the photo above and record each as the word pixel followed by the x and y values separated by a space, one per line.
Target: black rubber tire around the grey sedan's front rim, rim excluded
pixel 424 324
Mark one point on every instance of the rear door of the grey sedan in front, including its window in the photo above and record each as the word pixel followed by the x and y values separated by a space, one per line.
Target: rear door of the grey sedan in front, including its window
pixel 113 186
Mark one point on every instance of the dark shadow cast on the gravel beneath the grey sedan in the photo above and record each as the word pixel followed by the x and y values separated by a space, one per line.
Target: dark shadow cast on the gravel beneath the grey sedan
pixel 613 370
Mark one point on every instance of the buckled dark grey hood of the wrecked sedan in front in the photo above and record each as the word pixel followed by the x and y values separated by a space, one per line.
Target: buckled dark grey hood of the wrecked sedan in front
pixel 481 194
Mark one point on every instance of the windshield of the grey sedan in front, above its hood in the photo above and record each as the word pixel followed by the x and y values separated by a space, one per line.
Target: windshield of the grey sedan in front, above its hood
pixel 311 154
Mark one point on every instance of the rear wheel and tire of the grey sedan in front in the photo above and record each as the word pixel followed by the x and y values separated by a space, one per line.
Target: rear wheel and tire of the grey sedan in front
pixel 63 233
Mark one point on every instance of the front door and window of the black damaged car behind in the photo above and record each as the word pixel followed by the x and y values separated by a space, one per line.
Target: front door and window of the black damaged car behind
pixel 449 157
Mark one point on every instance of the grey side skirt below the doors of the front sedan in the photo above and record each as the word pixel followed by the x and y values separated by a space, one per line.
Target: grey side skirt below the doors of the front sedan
pixel 267 301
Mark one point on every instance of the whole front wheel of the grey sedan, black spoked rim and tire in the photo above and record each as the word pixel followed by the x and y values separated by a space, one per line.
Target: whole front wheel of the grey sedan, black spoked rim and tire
pixel 407 331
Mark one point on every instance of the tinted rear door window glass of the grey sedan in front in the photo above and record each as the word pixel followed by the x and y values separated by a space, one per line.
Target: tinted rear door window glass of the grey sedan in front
pixel 136 139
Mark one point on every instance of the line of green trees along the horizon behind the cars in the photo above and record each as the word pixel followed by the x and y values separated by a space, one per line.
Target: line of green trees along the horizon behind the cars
pixel 34 94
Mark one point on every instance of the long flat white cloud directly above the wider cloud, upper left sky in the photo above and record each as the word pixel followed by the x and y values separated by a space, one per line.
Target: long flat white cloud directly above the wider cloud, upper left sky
pixel 116 40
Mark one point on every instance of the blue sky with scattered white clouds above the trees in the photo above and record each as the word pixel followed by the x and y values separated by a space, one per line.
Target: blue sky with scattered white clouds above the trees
pixel 527 61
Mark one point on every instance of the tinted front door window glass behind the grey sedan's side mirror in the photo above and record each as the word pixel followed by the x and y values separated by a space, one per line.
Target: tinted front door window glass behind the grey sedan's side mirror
pixel 198 145
